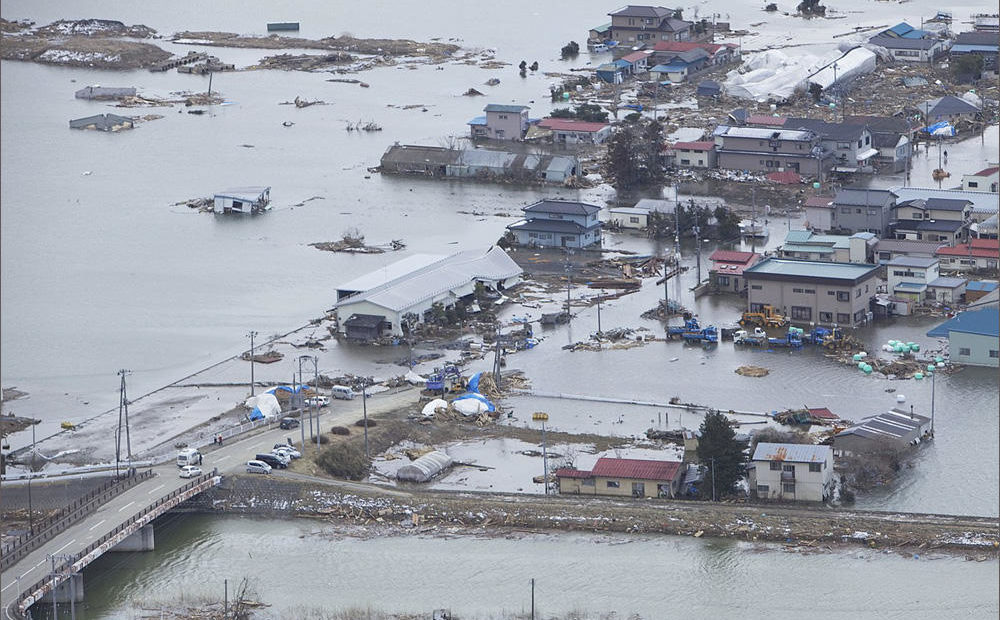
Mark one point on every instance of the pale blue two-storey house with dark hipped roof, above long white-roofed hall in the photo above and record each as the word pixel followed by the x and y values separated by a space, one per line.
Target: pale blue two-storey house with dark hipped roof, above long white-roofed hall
pixel 558 223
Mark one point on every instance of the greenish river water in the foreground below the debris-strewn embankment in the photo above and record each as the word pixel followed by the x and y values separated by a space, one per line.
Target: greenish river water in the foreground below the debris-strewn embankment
pixel 655 577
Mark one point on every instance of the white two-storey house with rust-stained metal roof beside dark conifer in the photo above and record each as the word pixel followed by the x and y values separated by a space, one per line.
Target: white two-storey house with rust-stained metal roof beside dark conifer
pixel 788 471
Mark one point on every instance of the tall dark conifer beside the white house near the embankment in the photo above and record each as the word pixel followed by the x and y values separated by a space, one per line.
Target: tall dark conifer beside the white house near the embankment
pixel 719 450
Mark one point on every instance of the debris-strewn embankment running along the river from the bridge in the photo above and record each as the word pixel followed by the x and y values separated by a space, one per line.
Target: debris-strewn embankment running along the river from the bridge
pixel 431 513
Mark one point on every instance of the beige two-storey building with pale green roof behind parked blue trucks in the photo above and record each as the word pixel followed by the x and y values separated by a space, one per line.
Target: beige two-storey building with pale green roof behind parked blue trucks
pixel 813 291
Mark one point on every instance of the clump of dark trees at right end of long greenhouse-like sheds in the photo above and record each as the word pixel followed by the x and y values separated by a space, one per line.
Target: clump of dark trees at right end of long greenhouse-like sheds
pixel 633 158
